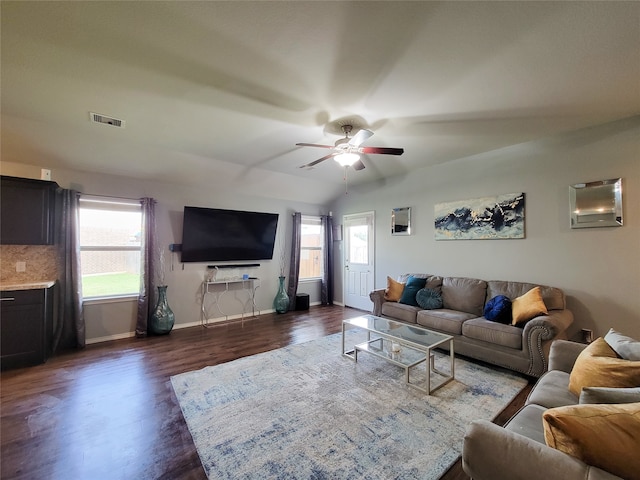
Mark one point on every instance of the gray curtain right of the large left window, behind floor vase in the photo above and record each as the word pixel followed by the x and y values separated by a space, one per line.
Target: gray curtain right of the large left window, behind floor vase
pixel 148 267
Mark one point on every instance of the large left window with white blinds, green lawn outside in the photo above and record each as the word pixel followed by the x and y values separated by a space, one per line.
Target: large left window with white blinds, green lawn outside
pixel 110 246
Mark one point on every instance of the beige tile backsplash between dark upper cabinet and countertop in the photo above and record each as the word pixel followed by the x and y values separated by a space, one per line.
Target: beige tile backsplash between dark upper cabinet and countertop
pixel 40 263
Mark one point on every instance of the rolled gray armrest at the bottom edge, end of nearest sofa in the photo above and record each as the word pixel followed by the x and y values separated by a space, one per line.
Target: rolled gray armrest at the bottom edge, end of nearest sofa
pixel 491 452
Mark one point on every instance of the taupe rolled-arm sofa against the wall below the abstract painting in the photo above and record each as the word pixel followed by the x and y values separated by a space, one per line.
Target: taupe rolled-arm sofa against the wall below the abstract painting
pixel 523 347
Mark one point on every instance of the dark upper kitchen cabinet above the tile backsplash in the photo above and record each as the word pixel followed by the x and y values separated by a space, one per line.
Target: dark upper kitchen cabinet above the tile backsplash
pixel 27 211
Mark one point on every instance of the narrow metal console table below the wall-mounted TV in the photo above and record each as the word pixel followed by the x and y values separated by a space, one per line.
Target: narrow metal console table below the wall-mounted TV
pixel 217 289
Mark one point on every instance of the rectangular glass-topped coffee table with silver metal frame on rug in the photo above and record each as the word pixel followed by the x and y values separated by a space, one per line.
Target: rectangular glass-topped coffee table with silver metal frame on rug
pixel 401 344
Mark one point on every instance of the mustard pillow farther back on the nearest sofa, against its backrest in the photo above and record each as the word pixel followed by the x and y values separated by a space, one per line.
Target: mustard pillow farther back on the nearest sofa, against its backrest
pixel 599 366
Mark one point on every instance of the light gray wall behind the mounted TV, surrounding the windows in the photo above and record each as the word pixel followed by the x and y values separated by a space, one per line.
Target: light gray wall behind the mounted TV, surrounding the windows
pixel 116 319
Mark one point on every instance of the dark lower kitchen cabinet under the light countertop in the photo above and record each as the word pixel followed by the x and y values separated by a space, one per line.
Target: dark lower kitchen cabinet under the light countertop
pixel 26 327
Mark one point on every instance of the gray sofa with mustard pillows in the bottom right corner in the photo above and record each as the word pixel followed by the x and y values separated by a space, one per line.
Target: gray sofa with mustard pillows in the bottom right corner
pixel 580 421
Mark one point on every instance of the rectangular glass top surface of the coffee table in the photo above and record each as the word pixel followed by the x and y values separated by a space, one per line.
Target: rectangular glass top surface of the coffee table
pixel 409 334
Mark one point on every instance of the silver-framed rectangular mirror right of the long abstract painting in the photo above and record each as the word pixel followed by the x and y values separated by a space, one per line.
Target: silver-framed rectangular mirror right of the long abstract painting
pixel 596 204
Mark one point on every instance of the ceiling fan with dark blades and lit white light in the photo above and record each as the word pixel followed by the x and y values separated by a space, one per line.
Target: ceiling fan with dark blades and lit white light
pixel 348 150
